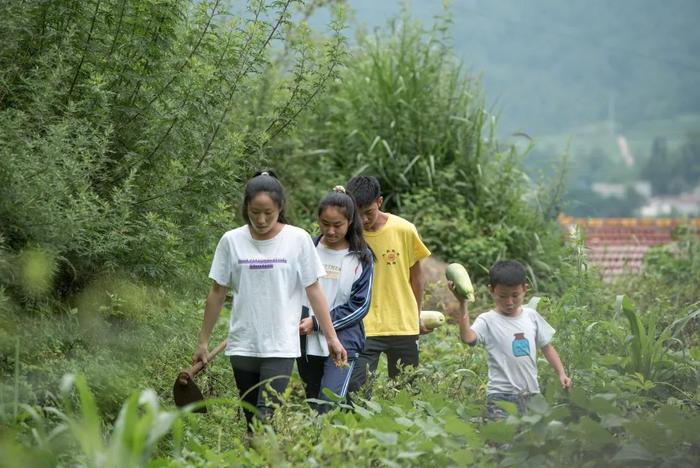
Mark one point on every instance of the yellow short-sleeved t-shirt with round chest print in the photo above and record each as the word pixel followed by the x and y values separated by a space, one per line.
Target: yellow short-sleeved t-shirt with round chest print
pixel 393 310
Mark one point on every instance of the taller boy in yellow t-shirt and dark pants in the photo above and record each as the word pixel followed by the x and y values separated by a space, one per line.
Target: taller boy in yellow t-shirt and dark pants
pixel 392 325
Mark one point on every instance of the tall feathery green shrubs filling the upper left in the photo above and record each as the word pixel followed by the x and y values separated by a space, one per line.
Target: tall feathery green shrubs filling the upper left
pixel 128 126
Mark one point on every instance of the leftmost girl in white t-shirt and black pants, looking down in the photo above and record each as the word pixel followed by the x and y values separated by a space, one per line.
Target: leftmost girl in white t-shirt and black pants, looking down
pixel 268 265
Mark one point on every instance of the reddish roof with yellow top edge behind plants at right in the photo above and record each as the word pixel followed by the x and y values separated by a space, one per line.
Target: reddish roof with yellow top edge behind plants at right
pixel 617 245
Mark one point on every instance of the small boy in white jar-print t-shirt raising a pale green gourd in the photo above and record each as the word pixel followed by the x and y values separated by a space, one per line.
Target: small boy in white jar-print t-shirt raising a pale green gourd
pixel 511 334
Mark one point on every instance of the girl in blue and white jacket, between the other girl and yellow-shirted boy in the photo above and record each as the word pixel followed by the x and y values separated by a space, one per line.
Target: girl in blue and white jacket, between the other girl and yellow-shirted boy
pixel 349 265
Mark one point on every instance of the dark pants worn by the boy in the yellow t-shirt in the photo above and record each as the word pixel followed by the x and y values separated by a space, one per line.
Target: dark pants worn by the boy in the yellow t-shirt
pixel 403 349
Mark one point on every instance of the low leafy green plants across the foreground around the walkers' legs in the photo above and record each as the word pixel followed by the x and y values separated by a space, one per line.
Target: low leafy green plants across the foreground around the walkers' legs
pixel 635 400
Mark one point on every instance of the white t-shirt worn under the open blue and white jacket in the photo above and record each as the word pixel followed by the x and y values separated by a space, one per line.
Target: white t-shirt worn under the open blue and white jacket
pixel 342 270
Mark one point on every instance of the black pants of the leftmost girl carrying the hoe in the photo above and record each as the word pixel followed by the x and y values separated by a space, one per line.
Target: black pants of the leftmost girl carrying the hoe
pixel 253 375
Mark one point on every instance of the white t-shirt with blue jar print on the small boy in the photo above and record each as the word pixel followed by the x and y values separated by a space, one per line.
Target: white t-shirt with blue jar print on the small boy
pixel 511 344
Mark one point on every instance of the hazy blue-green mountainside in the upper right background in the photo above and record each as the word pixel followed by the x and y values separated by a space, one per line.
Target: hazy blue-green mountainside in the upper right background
pixel 550 65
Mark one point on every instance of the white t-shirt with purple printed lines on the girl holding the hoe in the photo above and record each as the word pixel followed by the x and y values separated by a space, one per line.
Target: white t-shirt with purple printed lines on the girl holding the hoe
pixel 268 279
